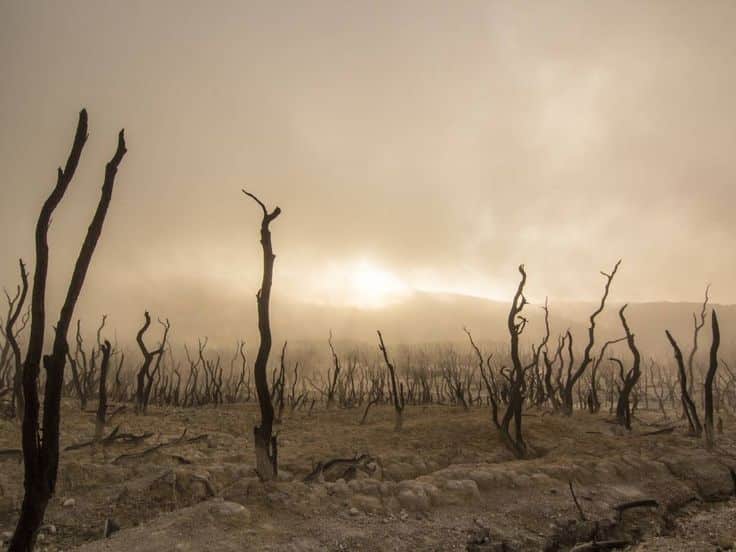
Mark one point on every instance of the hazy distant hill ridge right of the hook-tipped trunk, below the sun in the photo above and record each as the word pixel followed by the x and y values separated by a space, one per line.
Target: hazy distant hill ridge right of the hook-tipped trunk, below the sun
pixel 426 317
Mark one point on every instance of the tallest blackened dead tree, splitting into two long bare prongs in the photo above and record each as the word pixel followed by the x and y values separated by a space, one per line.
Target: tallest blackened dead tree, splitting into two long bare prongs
pixel 41 451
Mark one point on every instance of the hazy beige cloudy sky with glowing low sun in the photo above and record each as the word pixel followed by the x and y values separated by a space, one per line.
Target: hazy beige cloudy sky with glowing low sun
pixel 412 146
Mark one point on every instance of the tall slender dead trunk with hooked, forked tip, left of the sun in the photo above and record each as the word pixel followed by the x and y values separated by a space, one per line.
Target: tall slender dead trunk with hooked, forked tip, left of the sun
pixel 265 443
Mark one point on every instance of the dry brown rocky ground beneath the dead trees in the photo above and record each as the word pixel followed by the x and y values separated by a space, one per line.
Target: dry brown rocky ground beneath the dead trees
pixel 444 483
